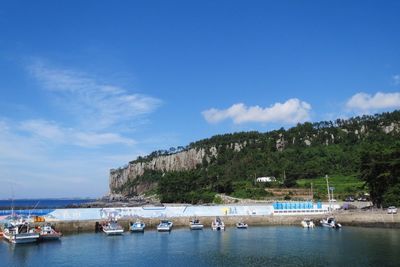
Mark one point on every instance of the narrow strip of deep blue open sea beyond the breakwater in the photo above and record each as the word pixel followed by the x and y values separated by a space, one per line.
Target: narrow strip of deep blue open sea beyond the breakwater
pixel 41 203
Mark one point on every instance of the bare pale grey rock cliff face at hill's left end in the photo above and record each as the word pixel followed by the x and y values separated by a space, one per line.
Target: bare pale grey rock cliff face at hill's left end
pixel 181 161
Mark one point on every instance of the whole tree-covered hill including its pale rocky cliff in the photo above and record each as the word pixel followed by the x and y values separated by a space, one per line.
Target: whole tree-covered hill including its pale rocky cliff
pixel 229 163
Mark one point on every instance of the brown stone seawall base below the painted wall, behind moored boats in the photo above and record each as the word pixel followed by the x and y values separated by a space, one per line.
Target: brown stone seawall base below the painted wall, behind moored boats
pixel 364 219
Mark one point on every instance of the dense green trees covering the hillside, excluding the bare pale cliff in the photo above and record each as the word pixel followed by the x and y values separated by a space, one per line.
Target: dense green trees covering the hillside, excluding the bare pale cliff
pixel 351 147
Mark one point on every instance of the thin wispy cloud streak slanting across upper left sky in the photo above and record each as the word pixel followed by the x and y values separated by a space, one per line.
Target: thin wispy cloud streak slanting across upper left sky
pixel 96 104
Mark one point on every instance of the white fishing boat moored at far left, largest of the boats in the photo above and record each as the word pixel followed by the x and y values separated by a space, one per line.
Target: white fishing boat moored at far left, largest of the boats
pixel 19 231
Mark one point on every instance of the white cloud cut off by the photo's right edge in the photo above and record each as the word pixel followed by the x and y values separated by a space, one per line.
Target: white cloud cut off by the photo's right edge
pixel 362 102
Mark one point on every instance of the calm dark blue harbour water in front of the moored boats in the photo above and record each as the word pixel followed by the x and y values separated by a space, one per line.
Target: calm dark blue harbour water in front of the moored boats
pixel 256 246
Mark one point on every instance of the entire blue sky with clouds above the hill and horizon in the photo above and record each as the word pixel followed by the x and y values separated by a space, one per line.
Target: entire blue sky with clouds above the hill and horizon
pixel 86 86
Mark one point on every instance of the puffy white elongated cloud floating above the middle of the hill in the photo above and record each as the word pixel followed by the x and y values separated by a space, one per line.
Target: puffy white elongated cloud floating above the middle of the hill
pixel 291 111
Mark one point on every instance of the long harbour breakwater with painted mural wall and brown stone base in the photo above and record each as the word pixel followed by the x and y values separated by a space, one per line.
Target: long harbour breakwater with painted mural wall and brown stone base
pixel 70 221
